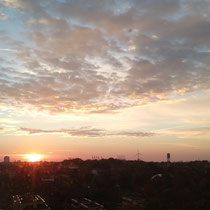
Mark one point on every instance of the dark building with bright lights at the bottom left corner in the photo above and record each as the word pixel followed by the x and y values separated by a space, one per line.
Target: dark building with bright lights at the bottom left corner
pixel 29 202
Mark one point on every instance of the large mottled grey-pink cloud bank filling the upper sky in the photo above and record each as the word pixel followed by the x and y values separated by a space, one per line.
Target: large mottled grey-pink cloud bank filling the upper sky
pixel 101 56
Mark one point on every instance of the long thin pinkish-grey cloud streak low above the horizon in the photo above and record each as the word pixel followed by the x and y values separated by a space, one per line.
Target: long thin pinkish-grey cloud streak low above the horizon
pixel 86 132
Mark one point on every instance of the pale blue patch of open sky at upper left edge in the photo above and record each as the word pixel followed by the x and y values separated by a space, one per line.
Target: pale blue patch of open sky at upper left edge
pixel 14 37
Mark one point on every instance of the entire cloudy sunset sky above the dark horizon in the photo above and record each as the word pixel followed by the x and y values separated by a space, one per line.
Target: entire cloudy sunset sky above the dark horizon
pixel 108 78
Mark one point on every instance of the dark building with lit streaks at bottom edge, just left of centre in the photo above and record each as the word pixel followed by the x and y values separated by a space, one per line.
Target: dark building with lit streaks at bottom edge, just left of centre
pixel 86 204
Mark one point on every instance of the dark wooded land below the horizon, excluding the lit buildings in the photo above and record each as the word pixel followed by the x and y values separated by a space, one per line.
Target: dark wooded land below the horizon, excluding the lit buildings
pixel 116 184
